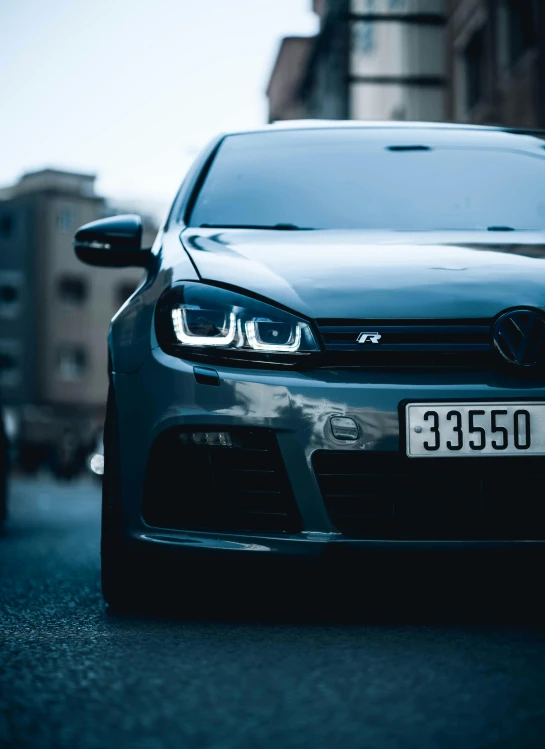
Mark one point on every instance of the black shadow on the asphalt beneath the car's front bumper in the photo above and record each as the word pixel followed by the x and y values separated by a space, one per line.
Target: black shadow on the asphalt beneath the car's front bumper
pixel 391 589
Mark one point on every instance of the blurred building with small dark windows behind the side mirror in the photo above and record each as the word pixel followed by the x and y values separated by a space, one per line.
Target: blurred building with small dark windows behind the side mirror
pixel 54 311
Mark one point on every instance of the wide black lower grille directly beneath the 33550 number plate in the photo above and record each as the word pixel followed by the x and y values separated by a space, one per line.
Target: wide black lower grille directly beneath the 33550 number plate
pixel 389 496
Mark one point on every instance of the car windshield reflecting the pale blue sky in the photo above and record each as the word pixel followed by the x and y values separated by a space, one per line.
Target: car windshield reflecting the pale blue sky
pixel 394 179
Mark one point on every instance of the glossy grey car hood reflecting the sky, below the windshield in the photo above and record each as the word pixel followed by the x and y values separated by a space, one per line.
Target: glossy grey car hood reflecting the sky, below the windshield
pixel 358 274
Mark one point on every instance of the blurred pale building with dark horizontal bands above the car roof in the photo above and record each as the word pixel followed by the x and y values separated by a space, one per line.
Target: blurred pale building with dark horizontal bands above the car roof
pixel 371 59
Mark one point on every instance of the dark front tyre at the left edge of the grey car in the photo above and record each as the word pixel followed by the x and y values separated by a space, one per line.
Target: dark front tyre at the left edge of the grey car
pixel 121 584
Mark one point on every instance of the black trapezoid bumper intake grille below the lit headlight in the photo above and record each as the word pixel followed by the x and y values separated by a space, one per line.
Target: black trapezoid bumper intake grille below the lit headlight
pixel 207 487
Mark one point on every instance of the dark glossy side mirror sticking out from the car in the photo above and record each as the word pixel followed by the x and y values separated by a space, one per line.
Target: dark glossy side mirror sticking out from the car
pixel 112 242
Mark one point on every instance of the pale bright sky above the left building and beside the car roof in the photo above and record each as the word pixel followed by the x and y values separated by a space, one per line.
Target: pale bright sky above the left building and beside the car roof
pixel 132 89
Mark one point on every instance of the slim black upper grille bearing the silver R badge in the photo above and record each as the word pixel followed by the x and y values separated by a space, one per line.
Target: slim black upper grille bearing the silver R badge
pixel 408 343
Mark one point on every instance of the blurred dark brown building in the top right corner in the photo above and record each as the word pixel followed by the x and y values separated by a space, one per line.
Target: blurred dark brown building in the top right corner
pixel 496 54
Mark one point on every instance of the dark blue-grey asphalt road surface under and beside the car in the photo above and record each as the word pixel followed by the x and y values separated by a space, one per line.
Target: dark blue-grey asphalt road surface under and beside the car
pixel 413 667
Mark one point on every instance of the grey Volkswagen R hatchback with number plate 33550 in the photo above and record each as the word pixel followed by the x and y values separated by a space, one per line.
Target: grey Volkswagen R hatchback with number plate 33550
pixel 339 344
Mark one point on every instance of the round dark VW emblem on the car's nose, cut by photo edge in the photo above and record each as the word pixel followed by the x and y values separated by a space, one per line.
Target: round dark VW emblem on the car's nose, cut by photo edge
pixel 519 336
